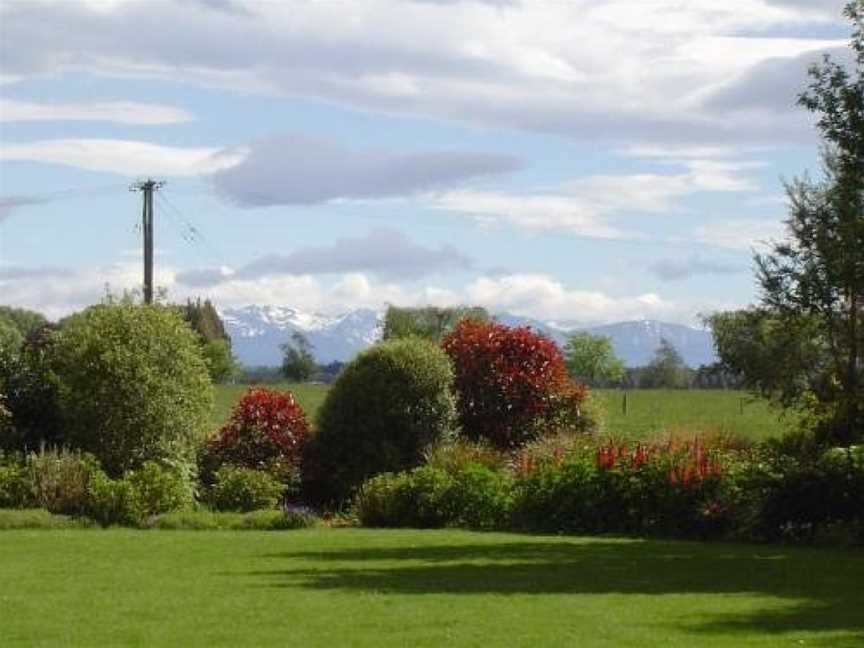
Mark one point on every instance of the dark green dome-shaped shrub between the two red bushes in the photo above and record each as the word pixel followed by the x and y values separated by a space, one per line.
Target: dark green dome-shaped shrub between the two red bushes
pixel 385 408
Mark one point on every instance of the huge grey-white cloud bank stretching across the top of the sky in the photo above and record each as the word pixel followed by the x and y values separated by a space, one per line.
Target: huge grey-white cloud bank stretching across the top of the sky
pixel 623 70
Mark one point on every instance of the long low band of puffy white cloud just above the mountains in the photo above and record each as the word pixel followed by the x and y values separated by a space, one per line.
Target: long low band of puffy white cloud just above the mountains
pixel 59 292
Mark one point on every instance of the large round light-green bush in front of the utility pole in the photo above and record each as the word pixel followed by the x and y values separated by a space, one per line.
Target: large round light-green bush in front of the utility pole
pixel 133 386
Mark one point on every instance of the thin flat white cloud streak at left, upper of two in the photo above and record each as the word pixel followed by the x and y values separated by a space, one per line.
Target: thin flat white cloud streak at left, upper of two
pixel 121 112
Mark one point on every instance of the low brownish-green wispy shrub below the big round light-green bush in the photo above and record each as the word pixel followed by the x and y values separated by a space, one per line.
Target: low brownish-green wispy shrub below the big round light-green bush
pixel 59 478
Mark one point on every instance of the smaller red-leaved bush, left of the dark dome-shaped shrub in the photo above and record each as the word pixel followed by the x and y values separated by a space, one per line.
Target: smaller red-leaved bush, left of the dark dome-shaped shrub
pixel 267 431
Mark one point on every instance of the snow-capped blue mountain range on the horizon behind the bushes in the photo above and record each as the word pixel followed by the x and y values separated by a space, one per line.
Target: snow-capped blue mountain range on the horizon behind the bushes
pixel 258 331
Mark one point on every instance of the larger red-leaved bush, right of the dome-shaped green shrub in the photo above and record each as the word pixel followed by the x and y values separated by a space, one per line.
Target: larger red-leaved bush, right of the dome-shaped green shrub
pixel 512 383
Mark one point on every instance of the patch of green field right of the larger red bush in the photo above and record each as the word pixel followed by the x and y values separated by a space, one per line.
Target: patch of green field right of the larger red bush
pixel 652 412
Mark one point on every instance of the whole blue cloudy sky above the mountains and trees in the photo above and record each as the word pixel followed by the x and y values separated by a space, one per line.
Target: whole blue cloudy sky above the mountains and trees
pixel 571 161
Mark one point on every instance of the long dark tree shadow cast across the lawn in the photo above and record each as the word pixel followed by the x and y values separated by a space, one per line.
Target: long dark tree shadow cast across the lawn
pixel 827 586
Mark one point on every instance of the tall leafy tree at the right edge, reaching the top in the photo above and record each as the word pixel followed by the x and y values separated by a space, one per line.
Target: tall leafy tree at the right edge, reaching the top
pixel 812 283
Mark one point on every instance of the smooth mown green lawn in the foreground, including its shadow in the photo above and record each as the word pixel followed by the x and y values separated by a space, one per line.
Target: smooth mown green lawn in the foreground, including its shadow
pixel 353 587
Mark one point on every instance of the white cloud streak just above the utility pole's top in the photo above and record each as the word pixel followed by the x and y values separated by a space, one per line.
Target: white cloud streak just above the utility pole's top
pixel 125 157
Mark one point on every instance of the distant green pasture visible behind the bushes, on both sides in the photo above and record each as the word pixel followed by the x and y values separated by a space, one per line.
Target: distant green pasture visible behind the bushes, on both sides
pixel 649 412
